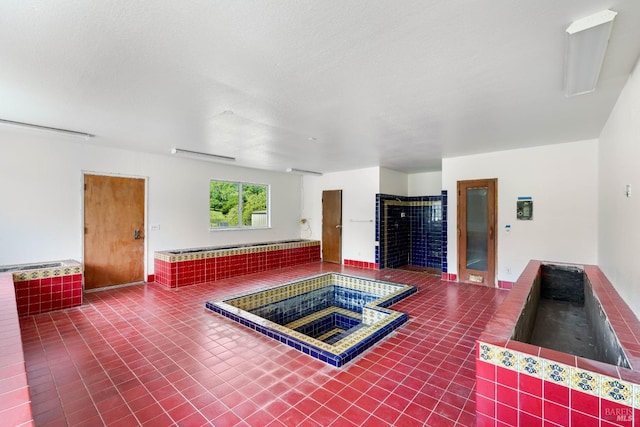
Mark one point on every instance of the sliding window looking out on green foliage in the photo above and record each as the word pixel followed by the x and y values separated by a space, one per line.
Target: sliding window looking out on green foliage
pixel 238 205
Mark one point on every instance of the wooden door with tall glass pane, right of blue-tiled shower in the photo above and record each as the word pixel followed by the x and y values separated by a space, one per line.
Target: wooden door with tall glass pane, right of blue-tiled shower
pixel 477 219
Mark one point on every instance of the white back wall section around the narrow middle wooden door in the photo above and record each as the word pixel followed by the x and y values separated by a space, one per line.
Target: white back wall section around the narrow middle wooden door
pixel 359 189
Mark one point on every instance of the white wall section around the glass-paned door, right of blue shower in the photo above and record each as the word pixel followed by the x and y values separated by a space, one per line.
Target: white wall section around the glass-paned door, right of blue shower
pixel 562 181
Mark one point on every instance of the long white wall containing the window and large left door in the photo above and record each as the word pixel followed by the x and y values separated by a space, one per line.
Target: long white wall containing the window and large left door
pixel 40 190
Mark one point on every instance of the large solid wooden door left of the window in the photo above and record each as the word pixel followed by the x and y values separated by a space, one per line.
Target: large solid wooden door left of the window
pixel 113 230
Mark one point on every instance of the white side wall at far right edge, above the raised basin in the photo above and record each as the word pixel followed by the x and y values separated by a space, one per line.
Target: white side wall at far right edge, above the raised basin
pixel 619 219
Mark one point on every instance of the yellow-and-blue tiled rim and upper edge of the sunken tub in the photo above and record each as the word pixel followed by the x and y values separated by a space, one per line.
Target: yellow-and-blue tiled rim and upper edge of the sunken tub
pixel 381 320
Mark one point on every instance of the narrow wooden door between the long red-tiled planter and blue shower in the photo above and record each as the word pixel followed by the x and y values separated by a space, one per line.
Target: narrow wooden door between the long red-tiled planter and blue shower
pixel 332 226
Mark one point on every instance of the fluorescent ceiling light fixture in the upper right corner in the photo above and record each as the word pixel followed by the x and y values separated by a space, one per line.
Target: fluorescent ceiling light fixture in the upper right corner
pixel 587 42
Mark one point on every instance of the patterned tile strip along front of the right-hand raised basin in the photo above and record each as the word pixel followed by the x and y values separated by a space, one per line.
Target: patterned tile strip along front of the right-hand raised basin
pixel 603 386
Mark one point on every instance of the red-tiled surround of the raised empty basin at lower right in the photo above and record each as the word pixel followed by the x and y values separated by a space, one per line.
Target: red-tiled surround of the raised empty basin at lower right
pixel 523 384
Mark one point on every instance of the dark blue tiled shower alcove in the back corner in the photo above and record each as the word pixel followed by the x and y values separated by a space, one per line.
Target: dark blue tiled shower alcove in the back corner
pixel 411 231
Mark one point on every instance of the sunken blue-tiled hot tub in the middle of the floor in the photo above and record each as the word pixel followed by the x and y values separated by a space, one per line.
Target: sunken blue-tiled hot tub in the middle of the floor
pixel 331 317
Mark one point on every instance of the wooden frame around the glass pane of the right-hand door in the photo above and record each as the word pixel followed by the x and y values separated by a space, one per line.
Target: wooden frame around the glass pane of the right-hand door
pixel 492 255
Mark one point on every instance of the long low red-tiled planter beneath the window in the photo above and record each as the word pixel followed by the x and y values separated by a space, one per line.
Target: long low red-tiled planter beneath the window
pixel 175 268
